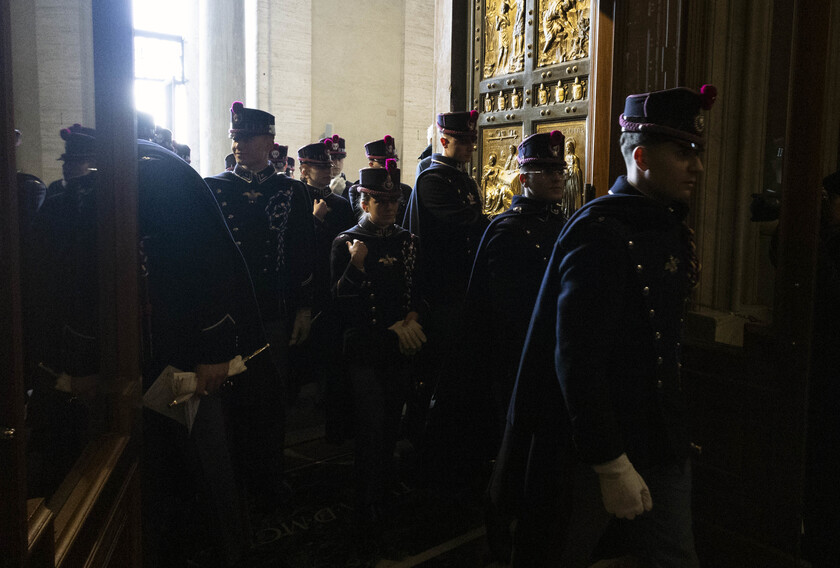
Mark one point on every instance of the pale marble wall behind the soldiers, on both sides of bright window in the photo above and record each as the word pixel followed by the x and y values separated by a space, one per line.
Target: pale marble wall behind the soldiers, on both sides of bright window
pixel 360 69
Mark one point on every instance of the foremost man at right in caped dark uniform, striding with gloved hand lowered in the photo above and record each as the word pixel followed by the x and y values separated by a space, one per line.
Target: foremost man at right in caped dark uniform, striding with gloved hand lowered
pixel 596 426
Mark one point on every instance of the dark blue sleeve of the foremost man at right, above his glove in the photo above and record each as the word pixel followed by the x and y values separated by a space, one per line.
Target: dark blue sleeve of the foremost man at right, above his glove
pixel 592 277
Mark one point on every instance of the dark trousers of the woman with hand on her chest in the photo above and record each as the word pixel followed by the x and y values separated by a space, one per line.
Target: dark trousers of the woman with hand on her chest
pixel 379 395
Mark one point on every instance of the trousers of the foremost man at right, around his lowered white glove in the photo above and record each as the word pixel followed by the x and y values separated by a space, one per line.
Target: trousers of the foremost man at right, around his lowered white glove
pixel 660 538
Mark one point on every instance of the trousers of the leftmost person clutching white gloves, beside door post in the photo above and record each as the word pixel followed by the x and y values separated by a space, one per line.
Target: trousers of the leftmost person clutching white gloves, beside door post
pixel 176 468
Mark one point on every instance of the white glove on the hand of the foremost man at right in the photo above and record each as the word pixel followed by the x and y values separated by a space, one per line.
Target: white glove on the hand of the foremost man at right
pixel 624 491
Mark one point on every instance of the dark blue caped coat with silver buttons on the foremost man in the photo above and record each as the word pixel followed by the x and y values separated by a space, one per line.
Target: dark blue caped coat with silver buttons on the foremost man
pixel 600 369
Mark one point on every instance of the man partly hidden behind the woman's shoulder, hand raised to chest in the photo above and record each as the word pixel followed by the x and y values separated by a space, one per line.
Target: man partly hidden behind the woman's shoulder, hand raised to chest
pixel 320 361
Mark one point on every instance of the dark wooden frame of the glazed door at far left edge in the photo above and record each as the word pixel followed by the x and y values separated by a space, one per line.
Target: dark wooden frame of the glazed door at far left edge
pixel 98 524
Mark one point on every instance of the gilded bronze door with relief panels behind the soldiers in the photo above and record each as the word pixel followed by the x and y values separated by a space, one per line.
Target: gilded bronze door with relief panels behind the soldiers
pixel 530 74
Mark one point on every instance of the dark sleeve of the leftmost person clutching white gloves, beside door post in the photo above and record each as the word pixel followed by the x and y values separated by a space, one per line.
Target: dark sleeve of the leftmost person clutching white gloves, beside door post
pixel 202 301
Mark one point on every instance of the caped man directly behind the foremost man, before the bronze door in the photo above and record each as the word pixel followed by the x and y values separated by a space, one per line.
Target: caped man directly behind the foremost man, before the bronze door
pixel 508 269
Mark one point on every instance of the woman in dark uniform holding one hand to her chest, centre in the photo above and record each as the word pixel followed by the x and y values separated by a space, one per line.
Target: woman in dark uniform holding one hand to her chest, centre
pixel 374 270
